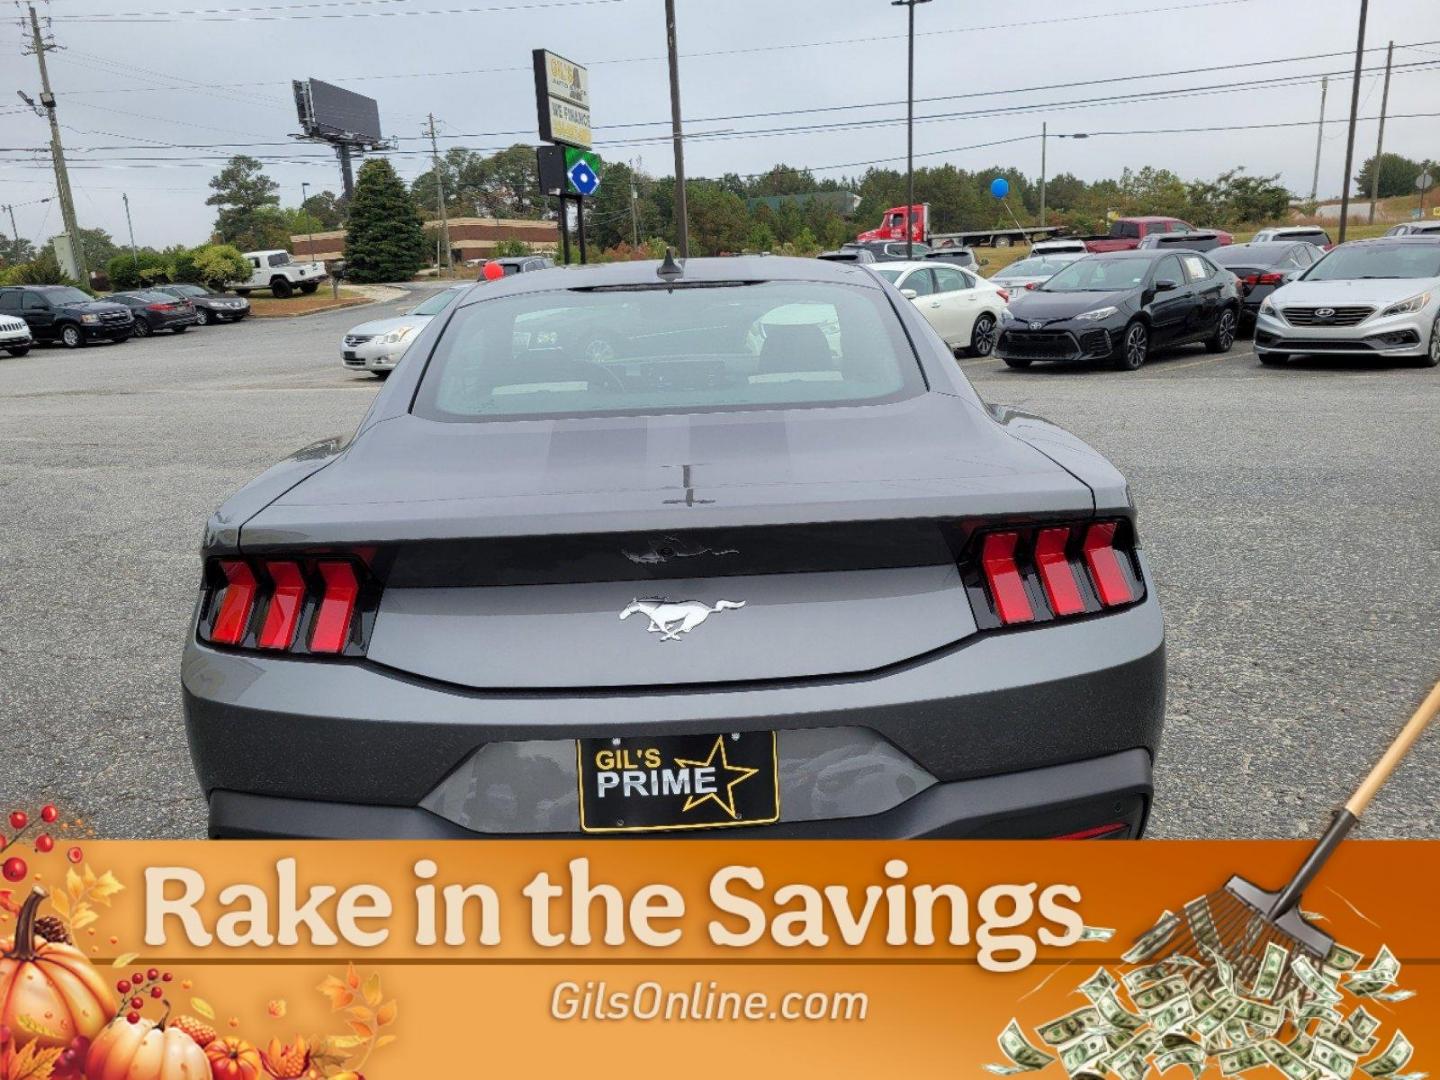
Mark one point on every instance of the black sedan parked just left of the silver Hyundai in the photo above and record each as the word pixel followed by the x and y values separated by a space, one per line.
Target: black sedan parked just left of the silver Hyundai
pixel 1120 306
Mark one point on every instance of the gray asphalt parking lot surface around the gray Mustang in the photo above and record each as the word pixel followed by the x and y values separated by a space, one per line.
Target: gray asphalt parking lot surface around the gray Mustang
pixel 1291 518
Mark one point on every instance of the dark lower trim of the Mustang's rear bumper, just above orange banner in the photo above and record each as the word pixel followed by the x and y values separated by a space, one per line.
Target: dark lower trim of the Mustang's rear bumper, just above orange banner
pixel 1036 804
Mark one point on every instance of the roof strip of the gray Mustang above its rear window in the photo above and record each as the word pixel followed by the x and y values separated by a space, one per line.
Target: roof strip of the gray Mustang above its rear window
pixel 702 270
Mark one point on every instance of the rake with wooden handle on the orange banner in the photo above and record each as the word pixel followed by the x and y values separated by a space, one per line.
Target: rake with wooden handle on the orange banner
pixel 1242 919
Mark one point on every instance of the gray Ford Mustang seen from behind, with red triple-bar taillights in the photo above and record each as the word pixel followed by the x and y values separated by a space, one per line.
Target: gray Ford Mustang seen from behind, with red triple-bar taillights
pixel 647 549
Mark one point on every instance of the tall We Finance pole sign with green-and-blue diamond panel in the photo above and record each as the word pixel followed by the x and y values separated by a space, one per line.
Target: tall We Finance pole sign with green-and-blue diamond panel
pixel 568 168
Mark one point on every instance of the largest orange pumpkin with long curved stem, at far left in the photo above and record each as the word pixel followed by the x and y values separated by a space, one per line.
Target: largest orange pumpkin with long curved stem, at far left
pixel 50 993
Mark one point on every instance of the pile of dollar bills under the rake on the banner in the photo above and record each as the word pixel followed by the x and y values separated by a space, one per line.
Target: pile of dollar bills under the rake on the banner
pixel 1197 1013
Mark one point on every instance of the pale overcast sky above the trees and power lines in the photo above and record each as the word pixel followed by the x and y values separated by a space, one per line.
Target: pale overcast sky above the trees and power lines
pixel 138 77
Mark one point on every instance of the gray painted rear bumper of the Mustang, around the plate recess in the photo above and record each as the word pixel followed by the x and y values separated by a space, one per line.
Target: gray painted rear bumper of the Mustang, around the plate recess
pixel 989 711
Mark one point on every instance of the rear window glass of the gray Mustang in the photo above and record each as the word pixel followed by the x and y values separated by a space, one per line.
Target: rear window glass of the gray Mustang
pixel 656 349
